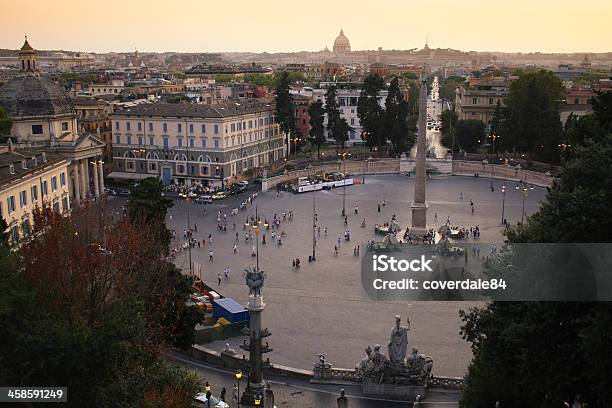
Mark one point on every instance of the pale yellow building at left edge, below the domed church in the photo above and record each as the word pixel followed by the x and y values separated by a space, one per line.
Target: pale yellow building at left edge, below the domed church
pixel 29 179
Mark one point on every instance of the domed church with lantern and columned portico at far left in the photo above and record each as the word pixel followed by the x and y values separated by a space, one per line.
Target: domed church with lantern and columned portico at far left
pixel 44 117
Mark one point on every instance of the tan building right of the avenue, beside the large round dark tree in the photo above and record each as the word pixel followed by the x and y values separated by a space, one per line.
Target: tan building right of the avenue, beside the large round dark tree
pixel 477 99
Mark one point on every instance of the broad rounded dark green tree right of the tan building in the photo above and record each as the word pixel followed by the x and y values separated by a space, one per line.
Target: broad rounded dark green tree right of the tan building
pixel 533 124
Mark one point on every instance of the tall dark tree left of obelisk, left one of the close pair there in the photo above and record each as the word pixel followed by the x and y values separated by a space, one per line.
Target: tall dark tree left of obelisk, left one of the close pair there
pixel 369 111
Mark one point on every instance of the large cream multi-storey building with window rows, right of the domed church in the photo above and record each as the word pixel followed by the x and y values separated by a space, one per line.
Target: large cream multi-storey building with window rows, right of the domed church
pixel 196 143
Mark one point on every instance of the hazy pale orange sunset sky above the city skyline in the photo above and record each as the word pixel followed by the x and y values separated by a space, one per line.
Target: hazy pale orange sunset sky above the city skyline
pixel 282 25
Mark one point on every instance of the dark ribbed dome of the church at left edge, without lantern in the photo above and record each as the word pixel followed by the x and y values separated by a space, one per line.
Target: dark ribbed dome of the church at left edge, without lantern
pixel 33 95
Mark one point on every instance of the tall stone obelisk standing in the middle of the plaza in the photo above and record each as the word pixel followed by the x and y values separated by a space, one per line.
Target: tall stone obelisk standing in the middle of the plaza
pixel 419 206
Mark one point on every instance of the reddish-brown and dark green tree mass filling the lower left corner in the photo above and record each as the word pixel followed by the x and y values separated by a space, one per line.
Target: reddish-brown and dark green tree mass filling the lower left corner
pixel 89 304
